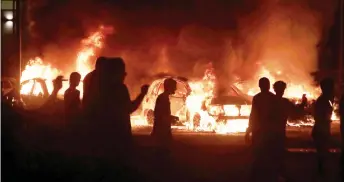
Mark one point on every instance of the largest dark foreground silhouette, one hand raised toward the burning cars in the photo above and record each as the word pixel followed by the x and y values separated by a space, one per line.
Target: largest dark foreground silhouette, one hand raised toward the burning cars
pixel 110 128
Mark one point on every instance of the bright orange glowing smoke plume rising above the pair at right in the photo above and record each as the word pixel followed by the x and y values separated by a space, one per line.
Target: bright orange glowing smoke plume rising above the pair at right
pixel 281 37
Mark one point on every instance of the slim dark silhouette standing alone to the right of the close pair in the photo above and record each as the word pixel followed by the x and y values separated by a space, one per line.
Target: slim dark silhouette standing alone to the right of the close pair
pixel 321 132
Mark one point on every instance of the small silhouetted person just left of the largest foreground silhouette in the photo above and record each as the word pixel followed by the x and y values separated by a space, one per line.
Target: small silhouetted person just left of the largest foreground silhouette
pixel 72 103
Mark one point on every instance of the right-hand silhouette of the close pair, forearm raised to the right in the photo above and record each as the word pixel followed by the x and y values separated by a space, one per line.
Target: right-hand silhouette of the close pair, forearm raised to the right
pixel 285 109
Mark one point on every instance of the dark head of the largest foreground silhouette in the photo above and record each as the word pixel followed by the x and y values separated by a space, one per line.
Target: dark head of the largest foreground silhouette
pixel 116 69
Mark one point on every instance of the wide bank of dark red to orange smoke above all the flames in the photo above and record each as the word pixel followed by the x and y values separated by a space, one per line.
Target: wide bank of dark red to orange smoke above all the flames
pixel 238 37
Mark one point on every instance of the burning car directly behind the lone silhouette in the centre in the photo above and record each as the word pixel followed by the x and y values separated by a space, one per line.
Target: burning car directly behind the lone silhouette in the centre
pixel 178 107
